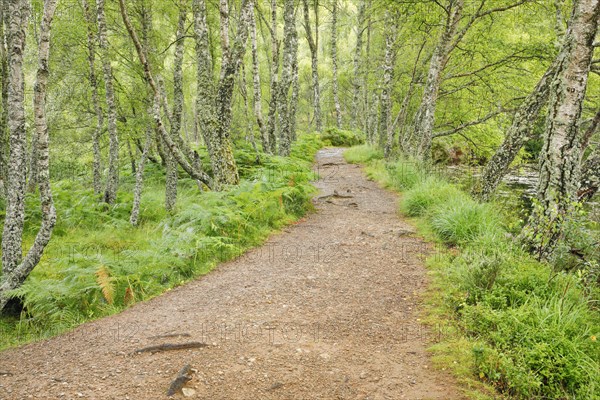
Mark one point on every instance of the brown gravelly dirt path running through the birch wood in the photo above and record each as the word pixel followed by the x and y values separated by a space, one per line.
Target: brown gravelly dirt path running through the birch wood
pixel 326 309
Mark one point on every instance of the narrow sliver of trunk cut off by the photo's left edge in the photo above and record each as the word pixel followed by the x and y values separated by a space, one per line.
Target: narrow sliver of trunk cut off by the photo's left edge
pixel 4 137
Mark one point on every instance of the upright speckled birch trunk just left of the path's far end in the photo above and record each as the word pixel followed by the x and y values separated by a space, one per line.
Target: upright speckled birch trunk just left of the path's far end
pixel 289 47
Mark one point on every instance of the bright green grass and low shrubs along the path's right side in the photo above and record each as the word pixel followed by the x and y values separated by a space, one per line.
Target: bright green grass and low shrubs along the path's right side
pixel 514 326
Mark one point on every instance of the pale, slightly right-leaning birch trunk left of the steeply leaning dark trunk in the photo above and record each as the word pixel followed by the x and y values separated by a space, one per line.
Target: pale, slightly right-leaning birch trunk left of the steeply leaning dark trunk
pixel 425 118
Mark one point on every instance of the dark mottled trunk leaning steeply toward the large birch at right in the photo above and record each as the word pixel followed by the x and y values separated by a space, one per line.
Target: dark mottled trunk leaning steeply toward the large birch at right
pixel 518 132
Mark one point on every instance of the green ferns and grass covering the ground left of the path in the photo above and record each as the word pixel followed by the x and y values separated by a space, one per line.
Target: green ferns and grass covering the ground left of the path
pixel 97 264
